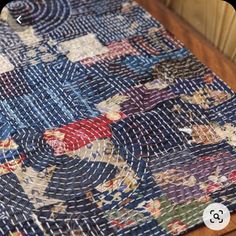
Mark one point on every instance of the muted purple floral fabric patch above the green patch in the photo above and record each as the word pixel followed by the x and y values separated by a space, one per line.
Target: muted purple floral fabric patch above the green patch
pixel 198 179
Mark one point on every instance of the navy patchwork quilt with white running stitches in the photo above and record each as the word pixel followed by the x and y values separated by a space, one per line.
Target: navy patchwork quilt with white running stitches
pixel 108 124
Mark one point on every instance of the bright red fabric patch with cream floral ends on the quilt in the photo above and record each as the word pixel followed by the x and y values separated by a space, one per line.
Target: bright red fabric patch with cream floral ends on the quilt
pixel 85 131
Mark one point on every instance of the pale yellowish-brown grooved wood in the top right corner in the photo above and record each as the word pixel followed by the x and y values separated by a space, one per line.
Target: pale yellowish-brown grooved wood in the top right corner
pixel 215 19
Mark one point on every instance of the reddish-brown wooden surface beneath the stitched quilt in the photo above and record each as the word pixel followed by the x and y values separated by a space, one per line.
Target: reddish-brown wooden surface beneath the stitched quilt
pixel 211 57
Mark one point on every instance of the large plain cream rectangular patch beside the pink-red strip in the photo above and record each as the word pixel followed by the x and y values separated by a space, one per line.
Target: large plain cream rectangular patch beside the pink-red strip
pixel 83 47
